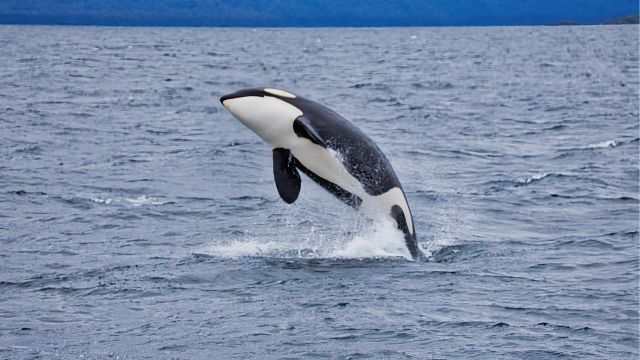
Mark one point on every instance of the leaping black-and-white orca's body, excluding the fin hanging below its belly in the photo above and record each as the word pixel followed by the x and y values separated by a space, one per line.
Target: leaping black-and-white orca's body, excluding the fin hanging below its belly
pixel 307 136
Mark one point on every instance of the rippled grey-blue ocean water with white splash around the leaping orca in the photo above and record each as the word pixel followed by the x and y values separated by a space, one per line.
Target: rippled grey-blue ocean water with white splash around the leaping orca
pixel 139 219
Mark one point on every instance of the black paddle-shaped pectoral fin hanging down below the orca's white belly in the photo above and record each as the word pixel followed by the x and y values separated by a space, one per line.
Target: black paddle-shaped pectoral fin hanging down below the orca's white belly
pixel 286 175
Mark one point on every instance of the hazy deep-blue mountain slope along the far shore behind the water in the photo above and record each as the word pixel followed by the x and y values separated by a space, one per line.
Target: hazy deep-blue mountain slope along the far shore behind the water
pixel 312 12
